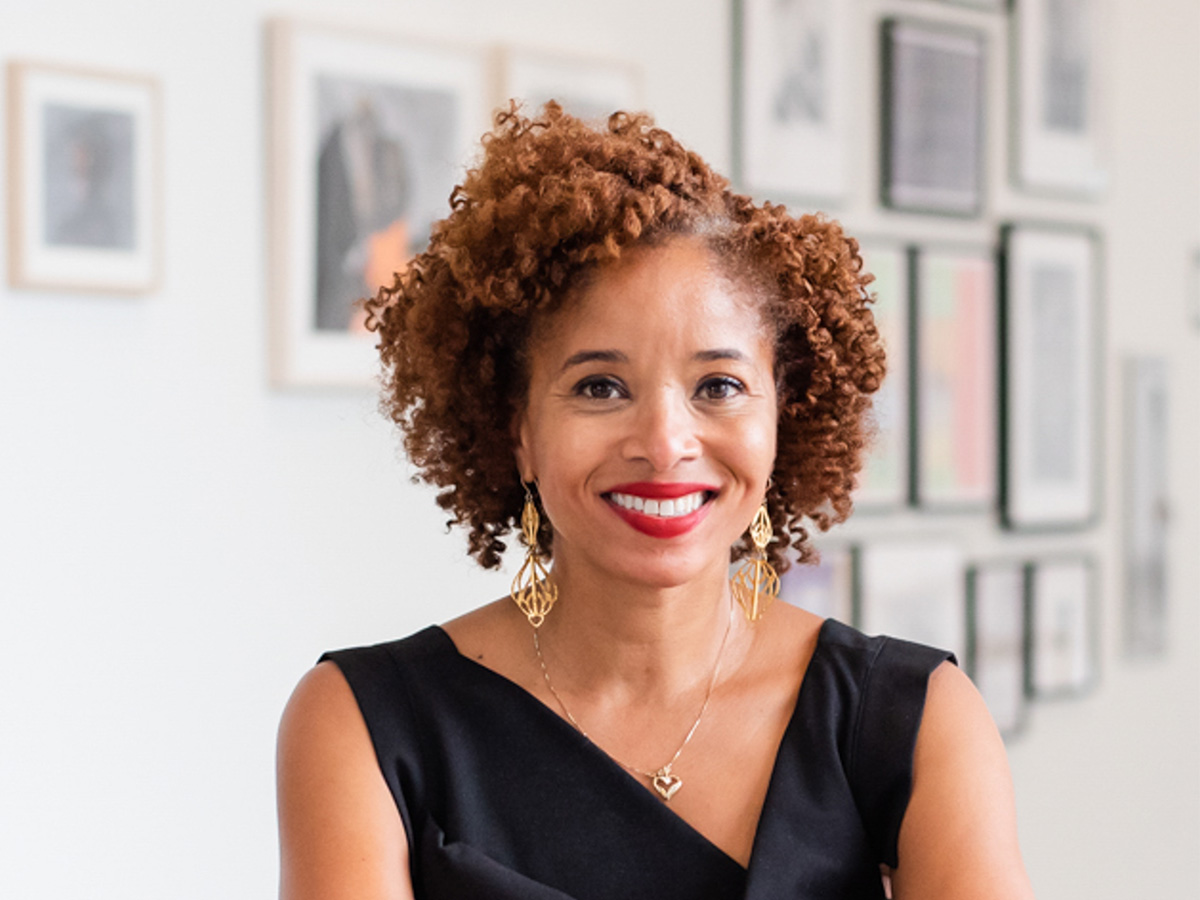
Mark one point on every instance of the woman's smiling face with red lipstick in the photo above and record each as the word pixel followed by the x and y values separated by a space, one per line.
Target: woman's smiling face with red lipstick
pixel 650 425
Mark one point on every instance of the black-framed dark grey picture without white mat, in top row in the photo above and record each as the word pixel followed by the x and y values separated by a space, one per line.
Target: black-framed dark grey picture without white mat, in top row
pixel 933 118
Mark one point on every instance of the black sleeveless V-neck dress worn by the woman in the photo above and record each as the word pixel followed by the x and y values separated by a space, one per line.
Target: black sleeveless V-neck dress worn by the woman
pixel 503 800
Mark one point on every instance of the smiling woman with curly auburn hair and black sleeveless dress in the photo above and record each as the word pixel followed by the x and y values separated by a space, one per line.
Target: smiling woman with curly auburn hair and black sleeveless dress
pixel 607 345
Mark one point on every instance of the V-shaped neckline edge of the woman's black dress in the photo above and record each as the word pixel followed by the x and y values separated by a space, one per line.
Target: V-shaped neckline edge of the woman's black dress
pixel 645 797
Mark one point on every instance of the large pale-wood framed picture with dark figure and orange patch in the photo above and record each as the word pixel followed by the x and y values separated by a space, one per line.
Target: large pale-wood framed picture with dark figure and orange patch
pixel 369 137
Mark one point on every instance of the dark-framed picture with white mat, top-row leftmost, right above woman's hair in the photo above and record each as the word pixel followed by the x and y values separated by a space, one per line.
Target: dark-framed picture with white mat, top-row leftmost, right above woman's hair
pixel 791 99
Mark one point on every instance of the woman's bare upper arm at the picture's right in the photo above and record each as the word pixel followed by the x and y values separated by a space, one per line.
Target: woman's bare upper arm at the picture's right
pixel 958 841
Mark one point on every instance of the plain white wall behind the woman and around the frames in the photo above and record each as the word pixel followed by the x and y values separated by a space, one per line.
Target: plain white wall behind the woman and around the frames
pixel 181 542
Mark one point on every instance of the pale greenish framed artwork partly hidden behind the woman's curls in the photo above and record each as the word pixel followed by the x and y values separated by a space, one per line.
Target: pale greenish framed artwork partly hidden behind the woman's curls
pixel 884 482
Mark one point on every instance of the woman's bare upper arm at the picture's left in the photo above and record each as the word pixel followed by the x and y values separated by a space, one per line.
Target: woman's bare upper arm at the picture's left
pixel 341 836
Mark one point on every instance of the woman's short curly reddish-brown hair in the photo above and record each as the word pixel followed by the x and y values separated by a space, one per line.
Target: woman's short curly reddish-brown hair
pixel 553 200
